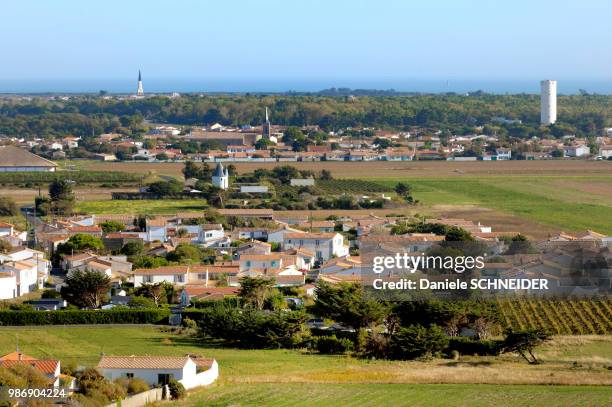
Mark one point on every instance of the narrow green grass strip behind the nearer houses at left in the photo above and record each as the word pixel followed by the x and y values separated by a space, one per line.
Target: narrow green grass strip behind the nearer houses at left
pixel 145 206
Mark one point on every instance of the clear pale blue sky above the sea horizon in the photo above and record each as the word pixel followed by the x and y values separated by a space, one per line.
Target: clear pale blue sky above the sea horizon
pixel 308 39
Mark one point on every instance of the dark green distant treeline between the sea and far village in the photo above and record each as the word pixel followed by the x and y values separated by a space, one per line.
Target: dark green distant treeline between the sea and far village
pixel 86 116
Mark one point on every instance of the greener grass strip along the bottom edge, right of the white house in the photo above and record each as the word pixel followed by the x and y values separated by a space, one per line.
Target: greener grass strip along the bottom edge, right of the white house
pixel 376 395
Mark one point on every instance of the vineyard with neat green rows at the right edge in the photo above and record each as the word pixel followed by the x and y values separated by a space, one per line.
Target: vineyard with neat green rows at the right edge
pixel 565 317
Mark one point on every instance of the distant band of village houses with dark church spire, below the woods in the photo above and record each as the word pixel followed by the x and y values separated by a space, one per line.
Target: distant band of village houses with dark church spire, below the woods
pixel 238 144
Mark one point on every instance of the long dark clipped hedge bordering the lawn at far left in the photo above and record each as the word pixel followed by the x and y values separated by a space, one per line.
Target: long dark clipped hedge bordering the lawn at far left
pixel 72 317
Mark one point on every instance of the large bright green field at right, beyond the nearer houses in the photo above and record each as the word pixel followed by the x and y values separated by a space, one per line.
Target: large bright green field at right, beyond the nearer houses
pixel 540 199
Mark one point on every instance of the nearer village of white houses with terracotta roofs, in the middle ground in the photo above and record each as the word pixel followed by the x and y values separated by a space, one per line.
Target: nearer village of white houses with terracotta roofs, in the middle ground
pixel 293 249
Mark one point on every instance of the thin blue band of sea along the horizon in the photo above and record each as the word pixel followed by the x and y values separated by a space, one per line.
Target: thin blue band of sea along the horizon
pixel 180 85
